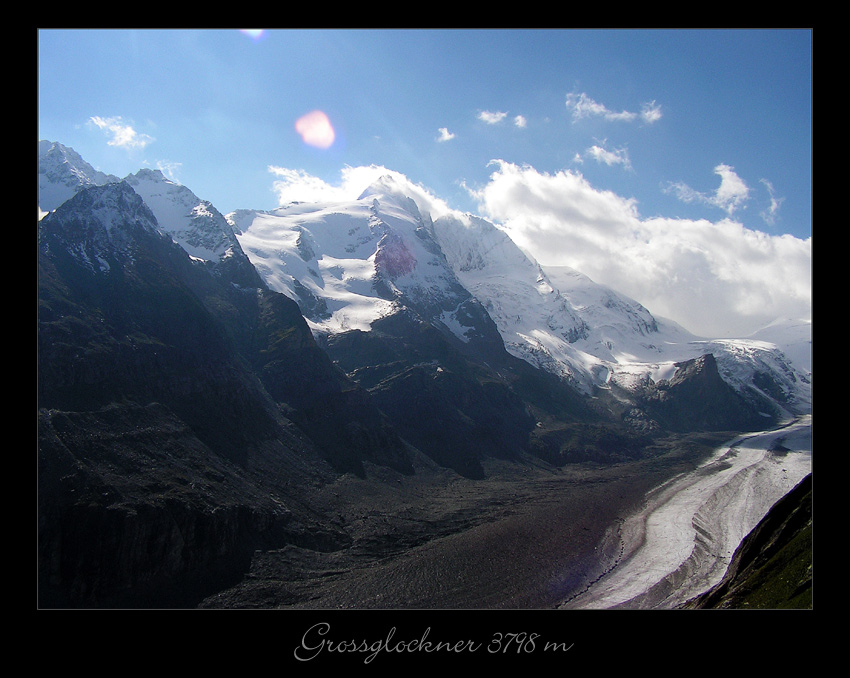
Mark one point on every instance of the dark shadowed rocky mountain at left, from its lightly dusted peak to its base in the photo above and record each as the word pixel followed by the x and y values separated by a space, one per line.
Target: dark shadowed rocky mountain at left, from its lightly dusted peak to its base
pixel 165 456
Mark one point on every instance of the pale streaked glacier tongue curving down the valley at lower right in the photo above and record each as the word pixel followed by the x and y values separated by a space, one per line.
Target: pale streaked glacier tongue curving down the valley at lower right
pixel 681 543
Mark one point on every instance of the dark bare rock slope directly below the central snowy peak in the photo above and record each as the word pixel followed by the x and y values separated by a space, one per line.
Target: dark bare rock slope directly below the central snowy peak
pixel 455 405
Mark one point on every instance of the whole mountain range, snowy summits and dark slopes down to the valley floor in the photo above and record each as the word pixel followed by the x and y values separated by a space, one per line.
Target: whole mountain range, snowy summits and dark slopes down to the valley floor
pixel 201 378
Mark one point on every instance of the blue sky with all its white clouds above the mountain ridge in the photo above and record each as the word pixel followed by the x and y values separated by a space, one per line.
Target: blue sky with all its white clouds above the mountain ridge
pixel 669 132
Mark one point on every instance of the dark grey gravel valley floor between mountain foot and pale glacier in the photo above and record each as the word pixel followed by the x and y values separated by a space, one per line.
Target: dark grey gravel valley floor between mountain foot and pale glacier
pixel 527 537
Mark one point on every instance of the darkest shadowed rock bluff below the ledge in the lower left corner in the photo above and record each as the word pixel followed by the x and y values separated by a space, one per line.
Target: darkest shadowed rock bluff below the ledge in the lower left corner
pixel 134 510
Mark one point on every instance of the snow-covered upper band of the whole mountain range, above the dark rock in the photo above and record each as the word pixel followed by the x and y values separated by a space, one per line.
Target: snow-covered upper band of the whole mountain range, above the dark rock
pixel 350 264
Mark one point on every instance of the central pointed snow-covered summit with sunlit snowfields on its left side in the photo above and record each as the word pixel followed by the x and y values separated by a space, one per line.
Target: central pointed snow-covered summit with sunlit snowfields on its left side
pixel 350 264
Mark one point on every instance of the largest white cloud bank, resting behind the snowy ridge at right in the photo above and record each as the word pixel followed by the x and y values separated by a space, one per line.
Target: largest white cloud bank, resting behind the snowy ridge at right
pixel 715 278
